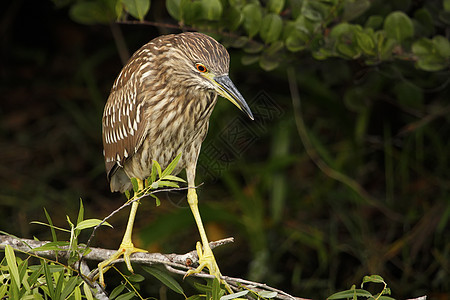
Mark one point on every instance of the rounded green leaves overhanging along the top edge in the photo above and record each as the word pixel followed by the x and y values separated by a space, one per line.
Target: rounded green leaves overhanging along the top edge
pixel 279 29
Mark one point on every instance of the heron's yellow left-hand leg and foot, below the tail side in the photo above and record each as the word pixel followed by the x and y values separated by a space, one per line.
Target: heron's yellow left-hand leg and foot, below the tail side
pixel 126 247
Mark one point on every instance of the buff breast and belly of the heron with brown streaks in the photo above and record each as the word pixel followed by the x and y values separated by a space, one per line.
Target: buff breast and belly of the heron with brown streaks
pixel 178 124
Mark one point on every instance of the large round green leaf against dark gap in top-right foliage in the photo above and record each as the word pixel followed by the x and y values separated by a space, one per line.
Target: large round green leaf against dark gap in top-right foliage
pixel 398 26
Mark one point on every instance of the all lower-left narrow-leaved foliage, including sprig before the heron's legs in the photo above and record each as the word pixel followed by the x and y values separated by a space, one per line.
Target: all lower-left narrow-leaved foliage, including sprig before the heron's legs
pixel 54 279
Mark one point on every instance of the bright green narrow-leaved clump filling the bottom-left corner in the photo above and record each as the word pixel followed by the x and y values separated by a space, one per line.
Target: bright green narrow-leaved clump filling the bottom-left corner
pixel 22 279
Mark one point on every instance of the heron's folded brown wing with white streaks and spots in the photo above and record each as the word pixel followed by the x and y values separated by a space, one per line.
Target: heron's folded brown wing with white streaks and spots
pixel 123 121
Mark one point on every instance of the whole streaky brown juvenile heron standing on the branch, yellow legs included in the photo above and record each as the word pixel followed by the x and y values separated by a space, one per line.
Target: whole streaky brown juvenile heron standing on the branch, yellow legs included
pixel 159 106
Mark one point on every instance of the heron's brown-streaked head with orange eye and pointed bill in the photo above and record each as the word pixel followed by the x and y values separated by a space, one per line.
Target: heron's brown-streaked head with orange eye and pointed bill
pixel 208 64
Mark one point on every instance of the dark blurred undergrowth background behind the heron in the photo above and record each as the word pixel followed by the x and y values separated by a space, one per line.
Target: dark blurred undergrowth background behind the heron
pixel 295 227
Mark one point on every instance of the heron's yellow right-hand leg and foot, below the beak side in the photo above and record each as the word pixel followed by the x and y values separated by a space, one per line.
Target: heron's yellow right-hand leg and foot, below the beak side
pixel 205 255
